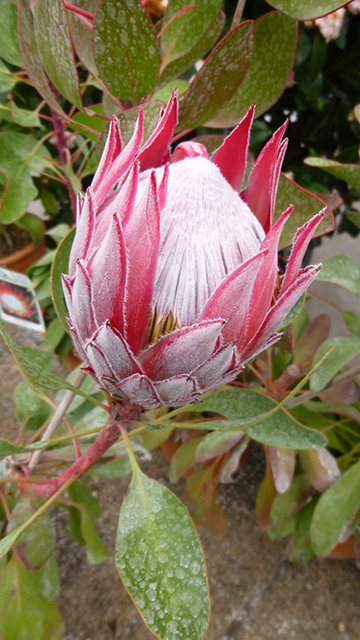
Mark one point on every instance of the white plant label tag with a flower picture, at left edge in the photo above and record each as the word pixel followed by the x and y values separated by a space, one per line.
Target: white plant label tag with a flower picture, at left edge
pixel 18 303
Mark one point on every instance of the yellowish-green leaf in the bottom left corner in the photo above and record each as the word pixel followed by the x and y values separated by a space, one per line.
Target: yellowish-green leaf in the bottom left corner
pixel 24 612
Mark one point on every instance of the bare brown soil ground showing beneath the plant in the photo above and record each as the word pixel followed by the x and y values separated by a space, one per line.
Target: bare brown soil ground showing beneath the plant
pixel 256 593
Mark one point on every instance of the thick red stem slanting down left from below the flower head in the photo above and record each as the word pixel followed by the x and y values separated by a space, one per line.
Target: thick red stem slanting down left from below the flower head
pixel 103 442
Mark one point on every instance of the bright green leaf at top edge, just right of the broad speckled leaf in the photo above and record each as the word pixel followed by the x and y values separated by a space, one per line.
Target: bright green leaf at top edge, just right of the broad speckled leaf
pixel 182 35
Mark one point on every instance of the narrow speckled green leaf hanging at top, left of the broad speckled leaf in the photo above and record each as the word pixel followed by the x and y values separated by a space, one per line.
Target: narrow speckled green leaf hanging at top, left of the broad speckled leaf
pixel 52 37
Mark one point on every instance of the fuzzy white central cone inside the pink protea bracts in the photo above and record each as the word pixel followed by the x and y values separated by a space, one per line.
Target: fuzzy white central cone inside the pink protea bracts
pixel 207 231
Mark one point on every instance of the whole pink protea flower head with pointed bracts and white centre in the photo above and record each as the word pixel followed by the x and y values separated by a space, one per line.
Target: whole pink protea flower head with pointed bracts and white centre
pixel 173 279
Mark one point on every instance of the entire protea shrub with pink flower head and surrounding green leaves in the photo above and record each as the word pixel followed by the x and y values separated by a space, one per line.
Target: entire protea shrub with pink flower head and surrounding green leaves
pixel 152 136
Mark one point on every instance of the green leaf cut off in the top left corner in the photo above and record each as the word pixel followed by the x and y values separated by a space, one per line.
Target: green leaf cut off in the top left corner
pixel 9 42
